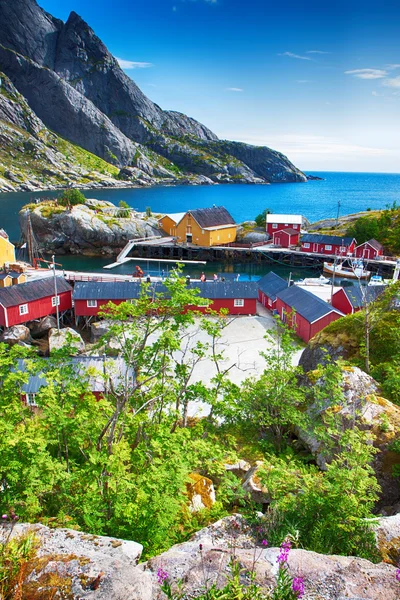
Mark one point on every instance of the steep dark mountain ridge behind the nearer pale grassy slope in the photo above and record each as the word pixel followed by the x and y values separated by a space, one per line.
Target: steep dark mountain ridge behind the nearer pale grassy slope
pixel 77 89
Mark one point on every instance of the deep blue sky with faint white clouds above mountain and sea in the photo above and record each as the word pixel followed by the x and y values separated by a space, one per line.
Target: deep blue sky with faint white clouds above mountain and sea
pixel 319 82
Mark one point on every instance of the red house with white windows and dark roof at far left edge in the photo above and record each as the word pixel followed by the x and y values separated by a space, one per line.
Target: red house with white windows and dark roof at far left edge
pixel 33 300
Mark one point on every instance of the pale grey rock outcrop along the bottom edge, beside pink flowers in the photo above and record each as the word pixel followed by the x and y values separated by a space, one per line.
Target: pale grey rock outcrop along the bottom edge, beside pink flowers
pixel 81 559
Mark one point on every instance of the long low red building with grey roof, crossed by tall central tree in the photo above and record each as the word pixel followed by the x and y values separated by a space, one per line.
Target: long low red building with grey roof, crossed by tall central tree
pixel 238 297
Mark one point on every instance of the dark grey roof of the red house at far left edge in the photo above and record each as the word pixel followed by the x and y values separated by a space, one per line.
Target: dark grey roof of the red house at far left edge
pixel 32 290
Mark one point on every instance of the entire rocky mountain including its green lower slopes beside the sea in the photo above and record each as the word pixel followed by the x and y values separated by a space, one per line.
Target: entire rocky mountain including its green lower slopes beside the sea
pixel 69 115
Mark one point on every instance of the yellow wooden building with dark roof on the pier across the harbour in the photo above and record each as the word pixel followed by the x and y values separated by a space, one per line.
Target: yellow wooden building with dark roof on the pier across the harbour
pixel 202 227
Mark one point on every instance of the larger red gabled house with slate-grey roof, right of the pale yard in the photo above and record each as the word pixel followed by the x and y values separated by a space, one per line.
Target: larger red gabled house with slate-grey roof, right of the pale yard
pixel 304 312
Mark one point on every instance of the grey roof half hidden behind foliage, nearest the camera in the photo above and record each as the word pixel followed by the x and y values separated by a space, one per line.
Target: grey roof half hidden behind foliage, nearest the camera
pixel 115 369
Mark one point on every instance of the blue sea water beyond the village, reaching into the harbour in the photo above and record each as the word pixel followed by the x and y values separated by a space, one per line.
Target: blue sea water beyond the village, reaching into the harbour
pixel 314 199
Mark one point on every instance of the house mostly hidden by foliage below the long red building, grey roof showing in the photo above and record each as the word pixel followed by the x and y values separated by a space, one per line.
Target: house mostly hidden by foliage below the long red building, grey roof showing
pixel 101 373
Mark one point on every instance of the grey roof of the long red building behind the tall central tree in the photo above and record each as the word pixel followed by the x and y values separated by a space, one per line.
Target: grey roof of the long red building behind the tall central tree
pixel 130 290
